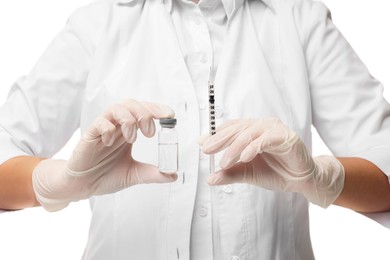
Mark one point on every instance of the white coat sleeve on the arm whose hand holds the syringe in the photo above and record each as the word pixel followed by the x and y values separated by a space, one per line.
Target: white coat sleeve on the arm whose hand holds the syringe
pixel 348 107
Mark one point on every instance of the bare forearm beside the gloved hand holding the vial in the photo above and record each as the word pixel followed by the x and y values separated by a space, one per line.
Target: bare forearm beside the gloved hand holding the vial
pixel 16 190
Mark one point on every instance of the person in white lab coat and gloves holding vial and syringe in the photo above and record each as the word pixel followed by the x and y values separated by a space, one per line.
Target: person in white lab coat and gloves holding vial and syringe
pixel 278 66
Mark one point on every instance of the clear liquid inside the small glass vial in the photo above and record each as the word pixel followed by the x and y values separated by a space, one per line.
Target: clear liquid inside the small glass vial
pixel 168 157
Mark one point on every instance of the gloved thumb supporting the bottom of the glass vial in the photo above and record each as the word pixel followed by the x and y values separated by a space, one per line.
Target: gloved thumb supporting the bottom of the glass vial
pixel 147 173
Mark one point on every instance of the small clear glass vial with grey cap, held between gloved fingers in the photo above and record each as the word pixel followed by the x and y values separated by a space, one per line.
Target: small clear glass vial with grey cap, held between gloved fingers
pixel 168 146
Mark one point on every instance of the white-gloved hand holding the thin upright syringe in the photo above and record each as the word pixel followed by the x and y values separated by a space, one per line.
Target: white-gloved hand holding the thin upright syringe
pixel 266 153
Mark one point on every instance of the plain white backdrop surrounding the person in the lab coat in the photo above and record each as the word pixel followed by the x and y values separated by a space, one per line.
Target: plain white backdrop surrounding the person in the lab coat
pixel 26 29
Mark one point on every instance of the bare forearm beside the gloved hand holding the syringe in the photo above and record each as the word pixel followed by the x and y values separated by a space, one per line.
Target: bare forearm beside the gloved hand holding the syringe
pixel 366 187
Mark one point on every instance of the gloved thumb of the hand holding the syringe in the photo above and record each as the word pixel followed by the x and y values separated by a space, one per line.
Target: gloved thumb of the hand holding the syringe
pixel 235 174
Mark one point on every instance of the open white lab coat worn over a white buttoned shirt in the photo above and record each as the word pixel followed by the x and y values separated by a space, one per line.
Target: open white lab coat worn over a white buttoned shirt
pixel 281 58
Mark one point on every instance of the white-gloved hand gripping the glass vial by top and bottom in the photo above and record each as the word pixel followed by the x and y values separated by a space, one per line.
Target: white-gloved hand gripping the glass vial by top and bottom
pixel 102 163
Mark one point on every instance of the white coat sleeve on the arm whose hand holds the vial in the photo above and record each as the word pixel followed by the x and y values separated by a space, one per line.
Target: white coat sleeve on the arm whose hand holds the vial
pixel 42 110
